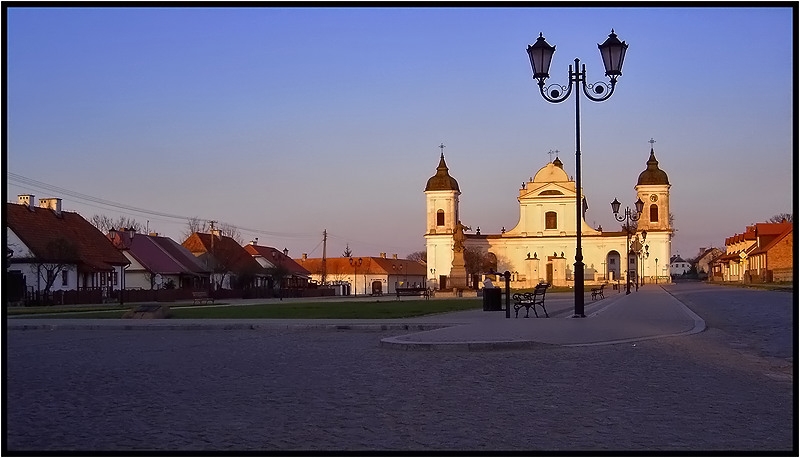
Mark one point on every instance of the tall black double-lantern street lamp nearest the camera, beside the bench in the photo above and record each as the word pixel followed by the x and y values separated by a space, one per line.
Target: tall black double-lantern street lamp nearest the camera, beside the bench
pixel 541 54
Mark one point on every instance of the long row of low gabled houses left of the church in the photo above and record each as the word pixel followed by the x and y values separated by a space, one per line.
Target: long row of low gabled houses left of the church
pixel 54 256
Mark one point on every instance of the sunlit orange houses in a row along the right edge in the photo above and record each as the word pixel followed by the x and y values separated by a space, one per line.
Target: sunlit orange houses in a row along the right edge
pixel 763 253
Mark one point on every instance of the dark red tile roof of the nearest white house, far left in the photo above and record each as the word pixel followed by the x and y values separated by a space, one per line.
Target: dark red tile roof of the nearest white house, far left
pixel 37 227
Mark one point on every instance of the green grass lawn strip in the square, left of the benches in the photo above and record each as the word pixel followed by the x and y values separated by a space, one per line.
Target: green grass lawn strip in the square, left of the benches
pixel 303 310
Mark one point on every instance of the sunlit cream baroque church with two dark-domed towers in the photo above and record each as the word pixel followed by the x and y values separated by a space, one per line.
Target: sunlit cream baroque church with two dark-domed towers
pixel 541 247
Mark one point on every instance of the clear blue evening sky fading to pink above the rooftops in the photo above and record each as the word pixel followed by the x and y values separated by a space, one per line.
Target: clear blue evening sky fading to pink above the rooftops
pixel 287 122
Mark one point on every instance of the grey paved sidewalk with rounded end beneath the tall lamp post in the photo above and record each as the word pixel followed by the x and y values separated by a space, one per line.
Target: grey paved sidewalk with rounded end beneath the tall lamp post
pixel 648 313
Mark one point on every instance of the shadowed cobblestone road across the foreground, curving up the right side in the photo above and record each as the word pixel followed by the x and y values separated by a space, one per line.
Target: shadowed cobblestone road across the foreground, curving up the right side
pixel 280 390
